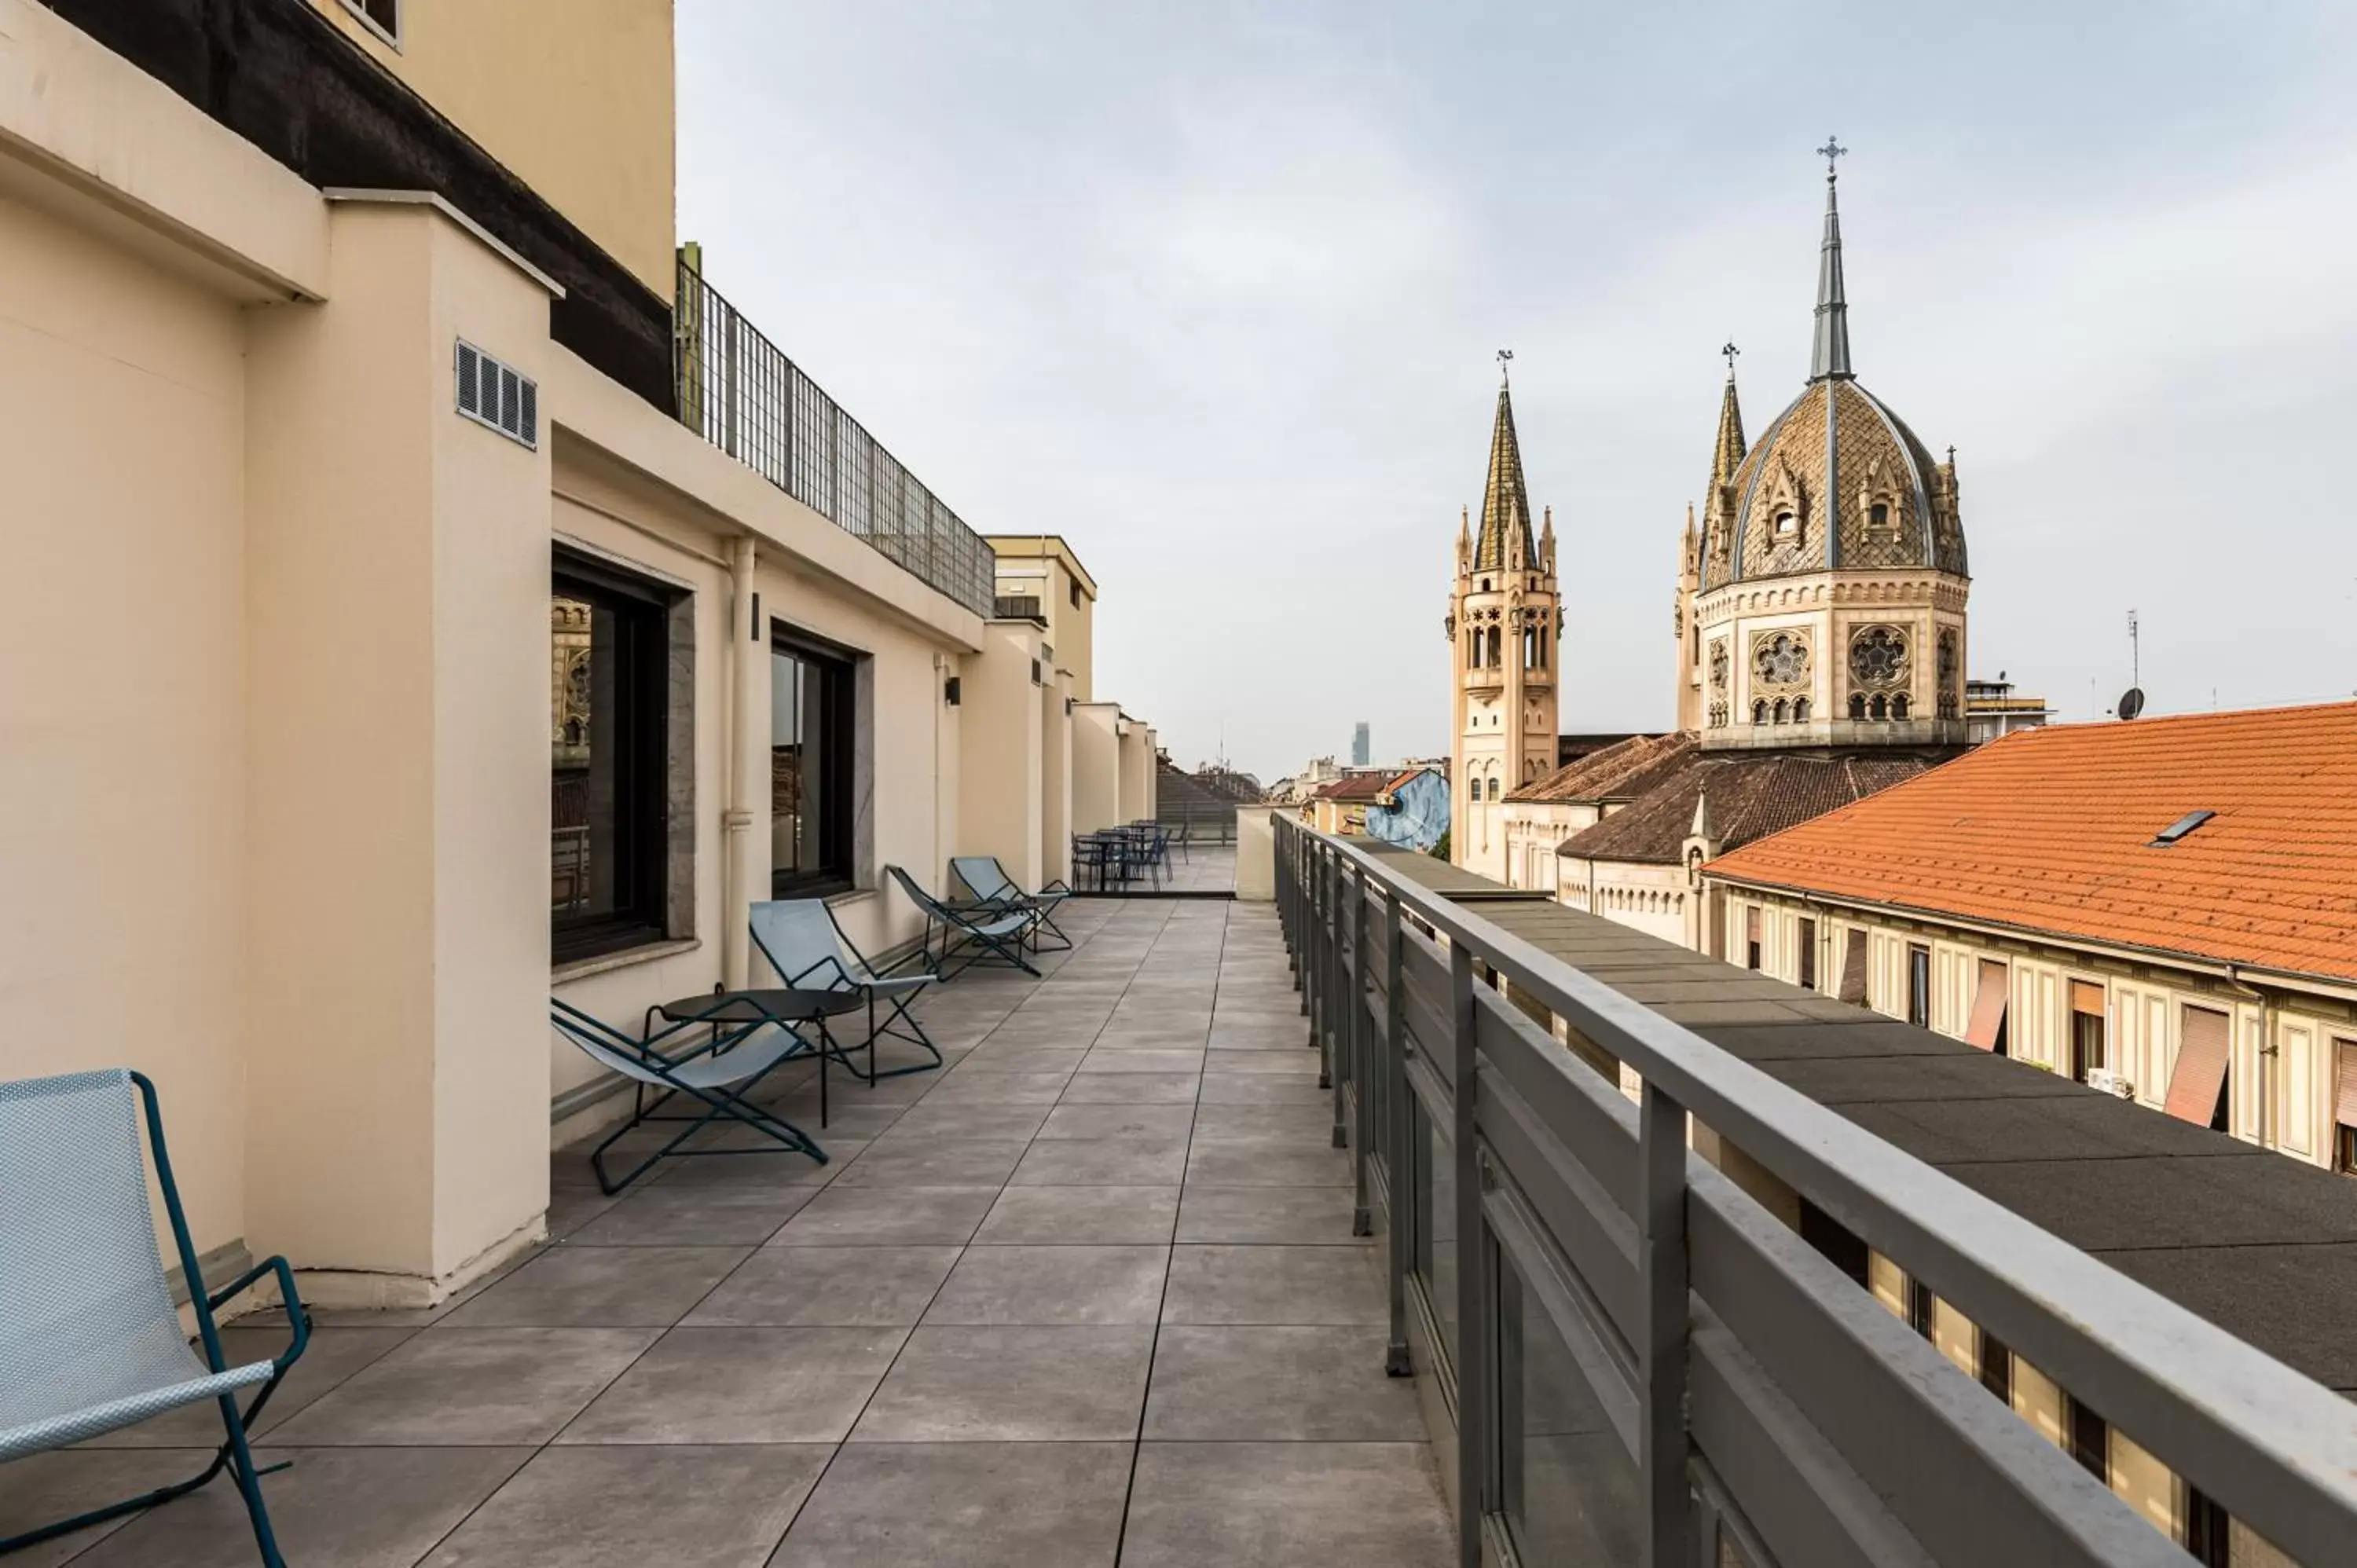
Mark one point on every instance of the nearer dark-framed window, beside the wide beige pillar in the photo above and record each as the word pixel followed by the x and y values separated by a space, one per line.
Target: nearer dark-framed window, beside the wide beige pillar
pixel 607 760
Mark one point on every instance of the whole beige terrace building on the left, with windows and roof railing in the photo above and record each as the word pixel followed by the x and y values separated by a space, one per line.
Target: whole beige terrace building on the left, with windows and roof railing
pixel 494 638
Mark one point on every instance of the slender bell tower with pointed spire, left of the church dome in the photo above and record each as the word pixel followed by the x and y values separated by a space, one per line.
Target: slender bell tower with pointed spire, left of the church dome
pixel 1505 628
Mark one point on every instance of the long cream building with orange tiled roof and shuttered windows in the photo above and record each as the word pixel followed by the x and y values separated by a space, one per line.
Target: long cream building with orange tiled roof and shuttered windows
pixel 2151 909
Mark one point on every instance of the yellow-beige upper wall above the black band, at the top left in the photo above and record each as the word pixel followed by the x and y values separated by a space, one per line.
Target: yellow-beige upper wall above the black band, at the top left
pixel 572 95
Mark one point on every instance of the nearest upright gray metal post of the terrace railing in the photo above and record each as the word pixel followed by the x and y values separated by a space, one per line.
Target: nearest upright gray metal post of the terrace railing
pixel 1663 1352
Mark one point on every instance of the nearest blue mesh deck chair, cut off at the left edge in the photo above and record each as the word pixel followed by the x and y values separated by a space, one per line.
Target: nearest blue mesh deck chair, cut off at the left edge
pixel 88 1331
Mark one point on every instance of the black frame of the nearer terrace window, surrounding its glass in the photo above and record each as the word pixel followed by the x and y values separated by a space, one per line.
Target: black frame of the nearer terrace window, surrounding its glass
pixel 642 614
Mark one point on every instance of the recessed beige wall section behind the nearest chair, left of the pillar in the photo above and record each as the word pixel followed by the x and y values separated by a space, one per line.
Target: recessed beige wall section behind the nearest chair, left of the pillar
pixel 124 701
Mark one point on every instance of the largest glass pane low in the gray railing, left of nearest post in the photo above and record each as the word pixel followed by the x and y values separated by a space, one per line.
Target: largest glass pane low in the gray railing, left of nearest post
pixel 1571 1487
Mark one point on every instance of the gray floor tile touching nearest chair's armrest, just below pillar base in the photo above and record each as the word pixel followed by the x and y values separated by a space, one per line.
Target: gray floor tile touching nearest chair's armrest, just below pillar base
pixel 470 1388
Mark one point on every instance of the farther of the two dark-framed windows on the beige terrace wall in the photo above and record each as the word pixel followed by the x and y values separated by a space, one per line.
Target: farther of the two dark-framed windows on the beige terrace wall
pixel 810 765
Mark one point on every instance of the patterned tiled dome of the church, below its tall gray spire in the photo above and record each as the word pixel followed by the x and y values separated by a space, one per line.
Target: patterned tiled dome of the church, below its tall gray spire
pixel 1837 482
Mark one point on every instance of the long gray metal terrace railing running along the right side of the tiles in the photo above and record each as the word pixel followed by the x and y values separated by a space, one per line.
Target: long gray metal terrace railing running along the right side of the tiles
pixel 1646 1366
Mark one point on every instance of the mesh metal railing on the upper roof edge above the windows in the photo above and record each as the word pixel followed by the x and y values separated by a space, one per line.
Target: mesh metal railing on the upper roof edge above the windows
pixel 746 397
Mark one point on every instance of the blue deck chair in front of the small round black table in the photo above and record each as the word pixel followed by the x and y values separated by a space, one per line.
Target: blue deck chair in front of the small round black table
pixel 715 1074
